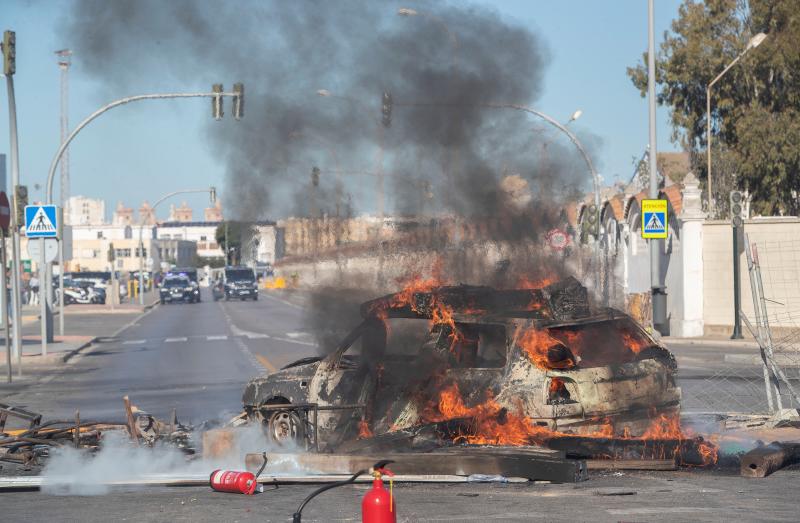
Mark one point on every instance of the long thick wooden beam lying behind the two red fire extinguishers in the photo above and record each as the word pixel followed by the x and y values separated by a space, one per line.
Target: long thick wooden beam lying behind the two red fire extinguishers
pixel 465 463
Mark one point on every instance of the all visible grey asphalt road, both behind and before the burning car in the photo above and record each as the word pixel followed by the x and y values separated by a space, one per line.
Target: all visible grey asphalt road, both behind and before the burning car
pixel 197 358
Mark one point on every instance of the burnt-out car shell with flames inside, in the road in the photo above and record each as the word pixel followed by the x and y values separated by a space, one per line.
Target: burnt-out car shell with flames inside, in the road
pixel 543 354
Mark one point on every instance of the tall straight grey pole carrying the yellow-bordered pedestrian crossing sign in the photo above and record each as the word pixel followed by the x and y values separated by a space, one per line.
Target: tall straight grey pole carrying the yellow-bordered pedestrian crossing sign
pixel 658 291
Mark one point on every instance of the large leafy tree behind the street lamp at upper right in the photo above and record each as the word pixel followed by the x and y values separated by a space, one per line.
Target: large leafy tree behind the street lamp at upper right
pixel 755 106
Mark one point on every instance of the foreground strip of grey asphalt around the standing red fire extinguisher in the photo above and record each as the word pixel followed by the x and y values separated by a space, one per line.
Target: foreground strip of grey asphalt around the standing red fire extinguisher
pixel 604 497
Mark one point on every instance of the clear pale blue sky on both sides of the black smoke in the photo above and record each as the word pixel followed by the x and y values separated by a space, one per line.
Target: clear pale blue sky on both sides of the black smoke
pixel 144 151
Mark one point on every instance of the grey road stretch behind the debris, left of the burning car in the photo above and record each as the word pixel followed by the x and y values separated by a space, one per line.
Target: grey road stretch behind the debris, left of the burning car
pixel 195 358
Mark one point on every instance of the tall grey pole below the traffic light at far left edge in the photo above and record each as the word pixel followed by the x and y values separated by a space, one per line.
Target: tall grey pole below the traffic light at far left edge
pixel 16 284
